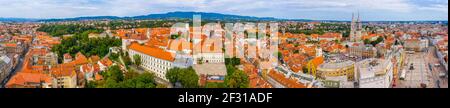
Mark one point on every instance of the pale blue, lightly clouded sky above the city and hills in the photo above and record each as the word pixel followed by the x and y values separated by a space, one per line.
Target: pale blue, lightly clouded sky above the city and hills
pixel 371 10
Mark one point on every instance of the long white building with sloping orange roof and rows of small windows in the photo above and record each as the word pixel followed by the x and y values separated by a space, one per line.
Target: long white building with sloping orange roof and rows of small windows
pixel 154 60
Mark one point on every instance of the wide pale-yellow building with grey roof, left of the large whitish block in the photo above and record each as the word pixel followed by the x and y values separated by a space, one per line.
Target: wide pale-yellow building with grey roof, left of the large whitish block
pixel 342 71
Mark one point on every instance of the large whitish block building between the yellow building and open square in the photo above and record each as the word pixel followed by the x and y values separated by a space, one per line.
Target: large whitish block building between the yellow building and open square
pixel 374 73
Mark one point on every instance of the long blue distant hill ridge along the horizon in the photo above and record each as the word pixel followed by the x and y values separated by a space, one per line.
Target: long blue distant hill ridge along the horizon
pixel 169 15
